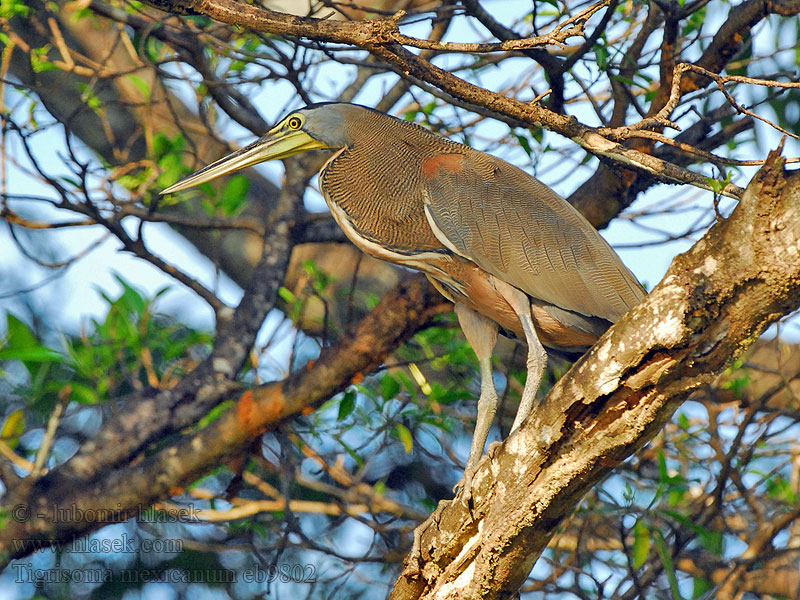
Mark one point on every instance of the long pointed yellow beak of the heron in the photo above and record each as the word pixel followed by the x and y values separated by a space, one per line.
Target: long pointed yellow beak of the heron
pixel 276 143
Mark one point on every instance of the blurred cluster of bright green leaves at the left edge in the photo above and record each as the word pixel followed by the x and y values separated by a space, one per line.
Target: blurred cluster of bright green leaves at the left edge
pixel 133 347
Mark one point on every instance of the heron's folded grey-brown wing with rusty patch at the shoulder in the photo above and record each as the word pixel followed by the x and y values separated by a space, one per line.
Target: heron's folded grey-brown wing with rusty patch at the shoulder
pixel 518 229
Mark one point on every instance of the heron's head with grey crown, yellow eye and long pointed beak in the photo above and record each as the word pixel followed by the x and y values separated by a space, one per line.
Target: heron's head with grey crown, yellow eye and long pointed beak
pixel 314 127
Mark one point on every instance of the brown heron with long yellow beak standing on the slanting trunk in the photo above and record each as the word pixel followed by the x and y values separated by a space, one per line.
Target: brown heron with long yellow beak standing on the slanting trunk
pixel 498 243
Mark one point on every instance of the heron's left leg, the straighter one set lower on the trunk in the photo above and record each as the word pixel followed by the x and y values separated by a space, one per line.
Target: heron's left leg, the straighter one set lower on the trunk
pixel 481 333
